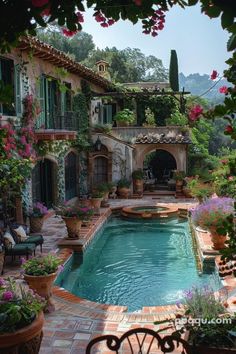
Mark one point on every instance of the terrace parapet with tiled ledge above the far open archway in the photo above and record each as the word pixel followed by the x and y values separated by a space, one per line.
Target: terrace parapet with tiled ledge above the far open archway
pixel 157 135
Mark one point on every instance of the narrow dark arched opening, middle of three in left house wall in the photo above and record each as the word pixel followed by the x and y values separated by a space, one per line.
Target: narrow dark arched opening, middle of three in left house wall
pixel 70 176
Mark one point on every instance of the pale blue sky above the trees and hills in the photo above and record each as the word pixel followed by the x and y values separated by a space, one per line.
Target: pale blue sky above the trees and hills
pixel 200 42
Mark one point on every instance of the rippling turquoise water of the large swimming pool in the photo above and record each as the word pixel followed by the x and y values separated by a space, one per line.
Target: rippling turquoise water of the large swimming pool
pixel 136 263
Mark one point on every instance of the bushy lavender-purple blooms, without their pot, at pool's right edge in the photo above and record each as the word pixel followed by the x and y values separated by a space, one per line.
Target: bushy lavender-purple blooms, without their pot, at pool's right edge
pixel 213 212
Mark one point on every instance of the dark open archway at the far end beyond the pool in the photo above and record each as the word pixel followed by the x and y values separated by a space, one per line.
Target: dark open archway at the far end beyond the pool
pixel 160 165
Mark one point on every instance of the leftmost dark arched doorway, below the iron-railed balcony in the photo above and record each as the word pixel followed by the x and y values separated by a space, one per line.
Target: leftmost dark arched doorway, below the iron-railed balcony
pixel 44 182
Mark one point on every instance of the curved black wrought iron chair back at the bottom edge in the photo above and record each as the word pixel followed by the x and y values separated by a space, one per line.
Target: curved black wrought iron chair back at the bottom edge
pixel 139 341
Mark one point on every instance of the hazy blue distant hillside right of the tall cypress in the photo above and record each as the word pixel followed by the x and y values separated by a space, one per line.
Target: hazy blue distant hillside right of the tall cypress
pixel 198 84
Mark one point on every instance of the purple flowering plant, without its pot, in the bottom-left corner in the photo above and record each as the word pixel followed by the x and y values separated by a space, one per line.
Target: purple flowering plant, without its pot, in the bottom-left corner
pixel 19 306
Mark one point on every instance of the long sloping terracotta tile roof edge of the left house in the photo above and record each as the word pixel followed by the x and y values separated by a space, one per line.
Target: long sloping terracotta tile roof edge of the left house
pixel 60 59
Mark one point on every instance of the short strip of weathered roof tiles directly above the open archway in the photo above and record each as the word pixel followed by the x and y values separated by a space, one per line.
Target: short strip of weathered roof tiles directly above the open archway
pixel 155 138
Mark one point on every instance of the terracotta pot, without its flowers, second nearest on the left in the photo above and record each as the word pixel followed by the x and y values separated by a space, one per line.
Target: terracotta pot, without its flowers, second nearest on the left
pixel 42 285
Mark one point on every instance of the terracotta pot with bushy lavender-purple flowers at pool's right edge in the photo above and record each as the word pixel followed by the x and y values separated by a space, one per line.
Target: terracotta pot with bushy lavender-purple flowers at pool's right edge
pixel 212 215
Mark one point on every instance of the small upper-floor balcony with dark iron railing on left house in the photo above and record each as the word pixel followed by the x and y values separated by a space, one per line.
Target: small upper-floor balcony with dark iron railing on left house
pixel 58 127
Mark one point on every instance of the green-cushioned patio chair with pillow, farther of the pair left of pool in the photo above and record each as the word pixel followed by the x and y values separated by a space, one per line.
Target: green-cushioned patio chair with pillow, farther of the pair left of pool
pixel 34 238
